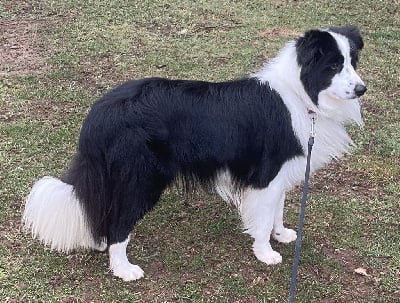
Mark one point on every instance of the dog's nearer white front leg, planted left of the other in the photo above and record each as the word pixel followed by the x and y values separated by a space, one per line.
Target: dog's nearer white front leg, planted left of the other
pixel 258 212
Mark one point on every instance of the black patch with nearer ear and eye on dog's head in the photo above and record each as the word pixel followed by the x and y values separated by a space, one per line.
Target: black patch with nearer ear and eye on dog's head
pixel 320 59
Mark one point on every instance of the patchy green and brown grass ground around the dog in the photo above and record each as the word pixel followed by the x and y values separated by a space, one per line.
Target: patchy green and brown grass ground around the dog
pixel 192 249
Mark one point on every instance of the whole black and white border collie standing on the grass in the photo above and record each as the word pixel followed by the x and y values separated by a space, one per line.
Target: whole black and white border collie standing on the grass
pixel 245 138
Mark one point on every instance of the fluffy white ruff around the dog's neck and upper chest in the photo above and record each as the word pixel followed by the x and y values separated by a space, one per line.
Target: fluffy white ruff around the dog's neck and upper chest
pixel 283 75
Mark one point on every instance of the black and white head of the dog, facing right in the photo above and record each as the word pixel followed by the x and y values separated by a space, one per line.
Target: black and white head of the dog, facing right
pixel 328 61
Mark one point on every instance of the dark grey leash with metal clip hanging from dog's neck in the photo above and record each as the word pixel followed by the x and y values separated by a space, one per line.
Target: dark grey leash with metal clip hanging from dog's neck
pixel 296 259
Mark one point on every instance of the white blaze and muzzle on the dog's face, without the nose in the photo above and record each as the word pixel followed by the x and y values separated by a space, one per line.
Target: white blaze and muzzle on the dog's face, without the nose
pixel 344 83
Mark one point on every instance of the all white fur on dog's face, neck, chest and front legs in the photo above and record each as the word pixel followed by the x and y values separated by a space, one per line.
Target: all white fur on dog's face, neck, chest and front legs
pixel 262 210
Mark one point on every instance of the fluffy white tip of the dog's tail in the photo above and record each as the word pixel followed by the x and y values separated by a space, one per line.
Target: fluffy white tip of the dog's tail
pixel 55 216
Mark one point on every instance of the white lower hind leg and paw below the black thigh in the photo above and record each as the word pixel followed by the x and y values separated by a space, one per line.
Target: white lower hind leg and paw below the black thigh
pixel 120 265
